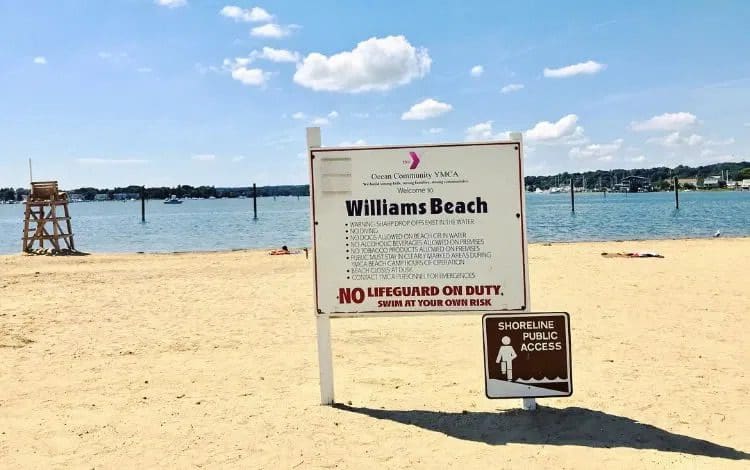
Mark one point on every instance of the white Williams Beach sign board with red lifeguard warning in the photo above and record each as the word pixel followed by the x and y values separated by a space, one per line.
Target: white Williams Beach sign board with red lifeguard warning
pixel 435 228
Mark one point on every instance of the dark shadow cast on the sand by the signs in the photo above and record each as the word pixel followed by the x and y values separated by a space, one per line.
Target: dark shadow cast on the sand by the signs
pixel 553 426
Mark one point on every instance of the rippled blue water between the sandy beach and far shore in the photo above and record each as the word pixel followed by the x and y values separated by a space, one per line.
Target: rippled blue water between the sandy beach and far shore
pixel 223 224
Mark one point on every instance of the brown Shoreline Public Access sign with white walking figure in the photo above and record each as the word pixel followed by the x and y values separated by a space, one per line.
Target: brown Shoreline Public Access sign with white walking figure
pixel 527 355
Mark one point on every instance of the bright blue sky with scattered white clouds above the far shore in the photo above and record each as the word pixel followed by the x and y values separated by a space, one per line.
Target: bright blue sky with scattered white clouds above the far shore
pixel 163 92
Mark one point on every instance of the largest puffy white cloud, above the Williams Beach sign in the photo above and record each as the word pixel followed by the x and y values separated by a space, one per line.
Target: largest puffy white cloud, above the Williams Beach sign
pixel 377 64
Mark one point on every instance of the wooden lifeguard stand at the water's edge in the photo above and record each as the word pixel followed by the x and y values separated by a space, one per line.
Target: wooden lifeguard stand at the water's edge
pixel 42 208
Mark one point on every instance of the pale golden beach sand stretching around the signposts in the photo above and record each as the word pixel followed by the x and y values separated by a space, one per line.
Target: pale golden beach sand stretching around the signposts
pixel 209 360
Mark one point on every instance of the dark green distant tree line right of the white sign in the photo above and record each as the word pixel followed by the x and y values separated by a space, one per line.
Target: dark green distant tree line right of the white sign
pixel 660 177
